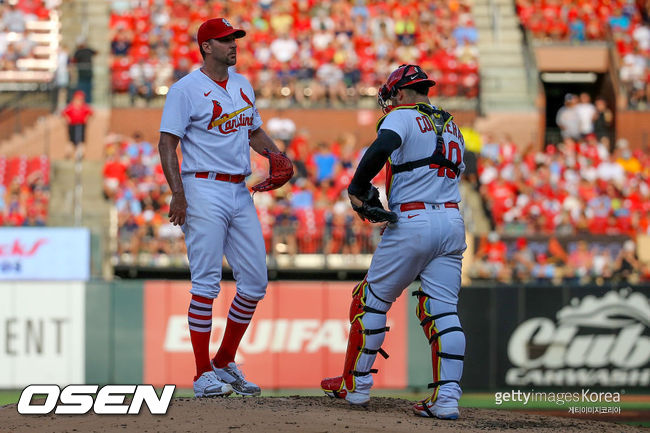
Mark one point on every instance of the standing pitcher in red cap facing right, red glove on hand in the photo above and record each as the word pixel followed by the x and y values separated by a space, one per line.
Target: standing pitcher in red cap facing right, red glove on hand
pixel 211 111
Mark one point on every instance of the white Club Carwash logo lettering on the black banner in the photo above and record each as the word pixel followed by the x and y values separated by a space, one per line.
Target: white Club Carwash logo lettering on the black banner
pixel 594 341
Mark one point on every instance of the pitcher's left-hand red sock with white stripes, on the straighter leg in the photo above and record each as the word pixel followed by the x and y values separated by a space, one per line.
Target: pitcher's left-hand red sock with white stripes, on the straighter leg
pixel 199 317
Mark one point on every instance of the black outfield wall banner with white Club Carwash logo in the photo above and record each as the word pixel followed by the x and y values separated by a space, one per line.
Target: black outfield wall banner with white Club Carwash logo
pixel 530 337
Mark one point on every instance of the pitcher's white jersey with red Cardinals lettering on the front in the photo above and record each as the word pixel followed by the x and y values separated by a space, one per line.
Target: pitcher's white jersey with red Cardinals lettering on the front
pixel 213 123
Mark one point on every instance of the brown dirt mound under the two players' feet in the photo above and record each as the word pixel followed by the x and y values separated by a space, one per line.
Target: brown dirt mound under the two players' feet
pixel 298 414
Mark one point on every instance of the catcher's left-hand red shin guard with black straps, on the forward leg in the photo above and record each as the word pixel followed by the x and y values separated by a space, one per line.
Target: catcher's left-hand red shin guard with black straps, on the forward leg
pixel 367 332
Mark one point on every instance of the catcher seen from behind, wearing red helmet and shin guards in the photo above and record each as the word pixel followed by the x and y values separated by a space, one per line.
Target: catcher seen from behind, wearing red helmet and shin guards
pixel 424 237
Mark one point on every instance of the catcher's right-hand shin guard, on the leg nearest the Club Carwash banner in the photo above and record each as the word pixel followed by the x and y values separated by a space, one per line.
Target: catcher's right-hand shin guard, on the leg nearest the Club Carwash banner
pixel 441 326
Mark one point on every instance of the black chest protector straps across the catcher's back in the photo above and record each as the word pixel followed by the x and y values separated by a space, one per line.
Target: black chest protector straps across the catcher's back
pixel 439 119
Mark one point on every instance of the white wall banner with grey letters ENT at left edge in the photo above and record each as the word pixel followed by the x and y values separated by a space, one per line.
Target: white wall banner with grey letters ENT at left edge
pixel 41 333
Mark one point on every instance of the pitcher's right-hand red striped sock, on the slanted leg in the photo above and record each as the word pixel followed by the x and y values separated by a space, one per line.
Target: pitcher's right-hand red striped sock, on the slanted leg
pixel 239 316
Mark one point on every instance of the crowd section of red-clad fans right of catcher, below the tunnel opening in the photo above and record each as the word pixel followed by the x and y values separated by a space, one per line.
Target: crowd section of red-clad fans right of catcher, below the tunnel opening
pixel 572 187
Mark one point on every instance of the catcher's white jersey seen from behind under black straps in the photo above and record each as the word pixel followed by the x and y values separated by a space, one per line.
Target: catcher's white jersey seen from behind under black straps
pixel 423 184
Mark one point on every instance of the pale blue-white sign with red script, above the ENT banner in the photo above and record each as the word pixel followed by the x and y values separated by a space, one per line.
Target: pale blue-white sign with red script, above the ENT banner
pixel 30 253
